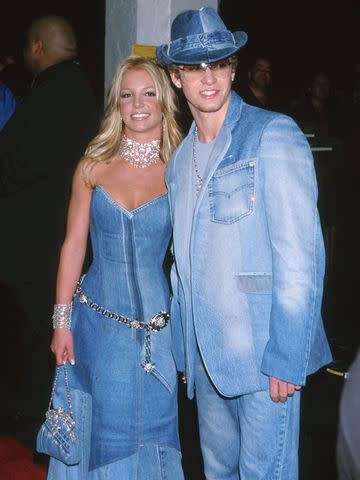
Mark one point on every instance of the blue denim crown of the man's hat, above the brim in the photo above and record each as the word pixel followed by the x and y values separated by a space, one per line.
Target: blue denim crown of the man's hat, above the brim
pixel 196 22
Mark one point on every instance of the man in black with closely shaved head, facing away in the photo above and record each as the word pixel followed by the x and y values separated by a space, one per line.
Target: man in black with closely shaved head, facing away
pixel 39 147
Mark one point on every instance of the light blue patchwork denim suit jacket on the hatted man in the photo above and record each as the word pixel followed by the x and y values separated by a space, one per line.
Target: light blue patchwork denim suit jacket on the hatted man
pixel 249 259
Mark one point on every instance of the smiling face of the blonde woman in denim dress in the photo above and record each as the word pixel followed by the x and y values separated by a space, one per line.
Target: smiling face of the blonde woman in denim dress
pixel 139 106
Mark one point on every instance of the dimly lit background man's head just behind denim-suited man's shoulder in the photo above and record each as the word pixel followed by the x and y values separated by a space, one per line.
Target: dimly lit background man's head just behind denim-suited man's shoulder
pixel 256 92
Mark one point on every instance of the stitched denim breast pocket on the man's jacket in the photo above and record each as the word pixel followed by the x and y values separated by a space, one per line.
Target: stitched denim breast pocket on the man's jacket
pixel 232 192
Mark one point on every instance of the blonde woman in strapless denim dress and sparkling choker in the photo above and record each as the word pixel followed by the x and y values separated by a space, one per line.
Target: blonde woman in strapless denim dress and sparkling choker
pixel 120 194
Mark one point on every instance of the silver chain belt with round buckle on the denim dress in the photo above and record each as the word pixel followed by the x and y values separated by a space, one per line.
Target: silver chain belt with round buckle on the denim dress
pixel 157 323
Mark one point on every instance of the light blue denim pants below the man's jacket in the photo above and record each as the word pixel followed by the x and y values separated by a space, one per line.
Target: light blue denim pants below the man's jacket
pixel 248 437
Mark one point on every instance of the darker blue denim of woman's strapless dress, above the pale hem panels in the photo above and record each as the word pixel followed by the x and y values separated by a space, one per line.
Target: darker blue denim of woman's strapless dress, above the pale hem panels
pixel 130 407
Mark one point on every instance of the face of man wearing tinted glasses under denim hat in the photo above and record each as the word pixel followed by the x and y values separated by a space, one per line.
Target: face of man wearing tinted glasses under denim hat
pixel 206 87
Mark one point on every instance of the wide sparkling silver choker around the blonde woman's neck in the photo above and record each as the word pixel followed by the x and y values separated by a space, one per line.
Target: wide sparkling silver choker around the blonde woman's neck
pixel 140 155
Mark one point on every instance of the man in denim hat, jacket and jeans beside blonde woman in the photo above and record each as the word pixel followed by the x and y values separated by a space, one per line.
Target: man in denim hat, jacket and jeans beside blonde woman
pixel 249 260
